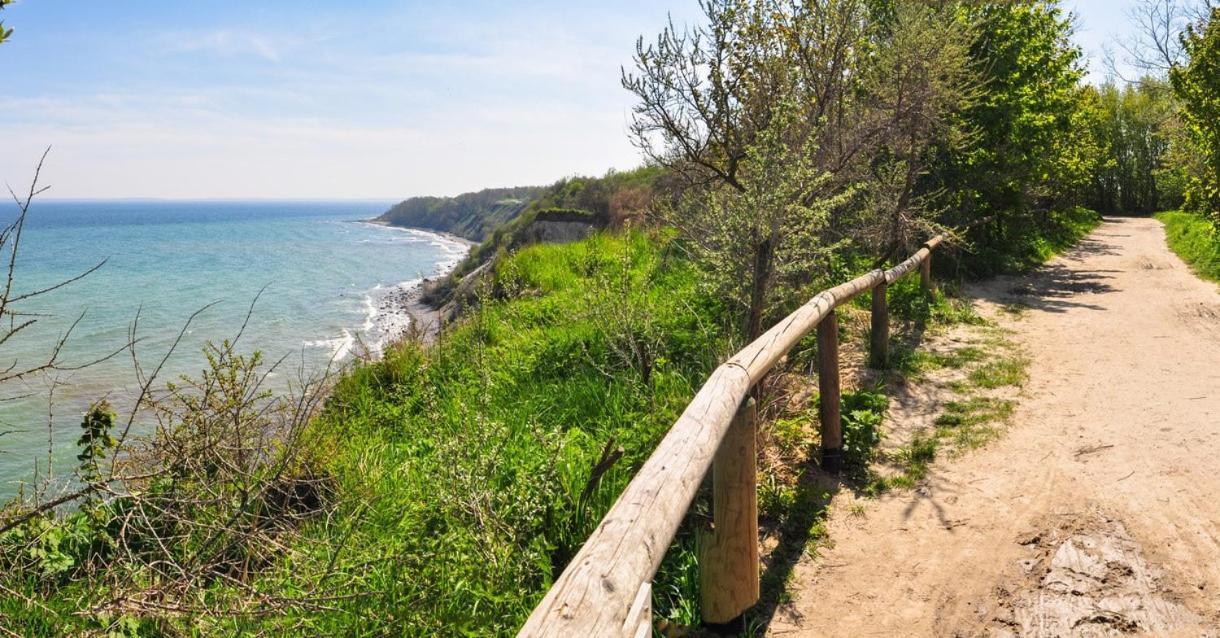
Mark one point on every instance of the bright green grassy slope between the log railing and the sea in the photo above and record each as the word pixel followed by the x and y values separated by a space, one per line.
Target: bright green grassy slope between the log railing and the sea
pixel 463 467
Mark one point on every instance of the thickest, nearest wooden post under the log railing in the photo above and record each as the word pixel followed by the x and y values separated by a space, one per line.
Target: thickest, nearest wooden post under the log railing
pixel 729 557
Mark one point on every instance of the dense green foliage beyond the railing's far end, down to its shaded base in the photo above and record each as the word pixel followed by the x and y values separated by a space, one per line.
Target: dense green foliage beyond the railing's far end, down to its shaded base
pixel 1032 154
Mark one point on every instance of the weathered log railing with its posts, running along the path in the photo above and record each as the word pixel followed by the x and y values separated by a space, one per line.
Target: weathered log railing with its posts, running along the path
pixel 607 589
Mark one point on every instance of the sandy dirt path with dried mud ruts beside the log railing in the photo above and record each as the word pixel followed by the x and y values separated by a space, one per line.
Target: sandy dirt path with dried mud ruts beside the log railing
pixel 1097 513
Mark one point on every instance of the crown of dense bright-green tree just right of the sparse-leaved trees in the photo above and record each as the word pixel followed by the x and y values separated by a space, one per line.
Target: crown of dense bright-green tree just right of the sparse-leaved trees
pixel 1022 158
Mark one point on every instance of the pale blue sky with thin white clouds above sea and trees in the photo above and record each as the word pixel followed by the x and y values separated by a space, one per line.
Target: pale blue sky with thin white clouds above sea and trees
pixel 370 99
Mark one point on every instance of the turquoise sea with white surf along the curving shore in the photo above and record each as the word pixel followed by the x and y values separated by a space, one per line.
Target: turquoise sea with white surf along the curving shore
pixel 326 282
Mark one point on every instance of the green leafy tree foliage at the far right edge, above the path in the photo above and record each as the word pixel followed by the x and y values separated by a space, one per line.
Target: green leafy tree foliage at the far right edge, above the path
pixel 1197 87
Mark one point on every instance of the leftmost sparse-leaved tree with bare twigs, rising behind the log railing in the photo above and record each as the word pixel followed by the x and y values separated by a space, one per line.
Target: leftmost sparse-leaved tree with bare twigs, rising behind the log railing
pixel 739 108
